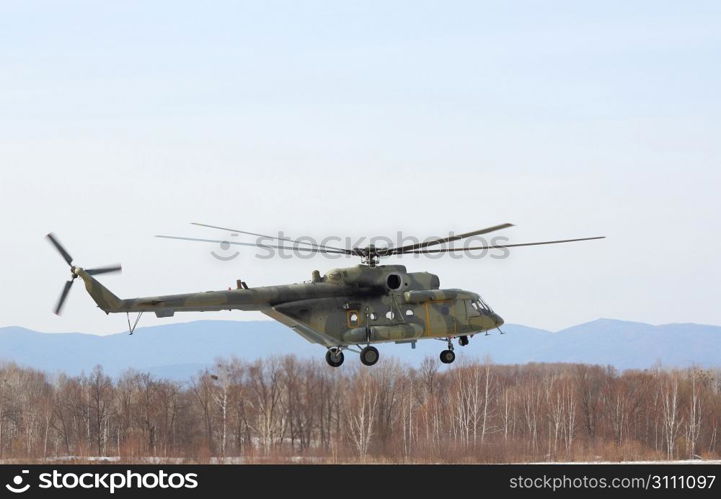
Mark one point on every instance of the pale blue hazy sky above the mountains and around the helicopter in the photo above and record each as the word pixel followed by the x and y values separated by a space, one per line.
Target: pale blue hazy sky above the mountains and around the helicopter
pixel 121 120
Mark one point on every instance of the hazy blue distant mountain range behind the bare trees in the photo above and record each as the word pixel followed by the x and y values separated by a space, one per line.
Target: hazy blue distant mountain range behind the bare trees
pixel 179 351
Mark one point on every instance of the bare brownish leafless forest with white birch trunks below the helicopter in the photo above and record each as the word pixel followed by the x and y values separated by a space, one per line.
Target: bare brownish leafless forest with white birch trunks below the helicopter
pixel 290 410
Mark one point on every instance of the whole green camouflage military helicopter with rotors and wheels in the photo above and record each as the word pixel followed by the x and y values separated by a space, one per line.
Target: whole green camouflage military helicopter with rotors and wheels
pixel 349 308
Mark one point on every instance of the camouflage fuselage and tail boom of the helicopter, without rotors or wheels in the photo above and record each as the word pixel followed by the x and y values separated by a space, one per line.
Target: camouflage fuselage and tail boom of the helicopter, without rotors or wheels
pixel 357 305
